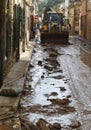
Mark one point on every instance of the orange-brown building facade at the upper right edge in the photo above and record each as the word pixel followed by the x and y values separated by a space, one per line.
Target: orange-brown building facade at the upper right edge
pixel 85 30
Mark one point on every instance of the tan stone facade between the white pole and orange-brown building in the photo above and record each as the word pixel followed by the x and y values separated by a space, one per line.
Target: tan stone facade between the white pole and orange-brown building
pixel 74 9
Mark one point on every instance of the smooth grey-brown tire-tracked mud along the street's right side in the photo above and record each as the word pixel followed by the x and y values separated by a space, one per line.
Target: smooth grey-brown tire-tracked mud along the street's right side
pixel 79 75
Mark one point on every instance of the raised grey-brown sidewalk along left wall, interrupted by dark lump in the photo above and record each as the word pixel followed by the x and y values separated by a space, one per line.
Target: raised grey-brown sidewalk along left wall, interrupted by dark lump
pixel 15 79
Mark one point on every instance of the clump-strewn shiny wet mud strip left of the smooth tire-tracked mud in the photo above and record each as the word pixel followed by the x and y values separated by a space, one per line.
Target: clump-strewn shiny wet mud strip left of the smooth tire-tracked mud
pixel 47 102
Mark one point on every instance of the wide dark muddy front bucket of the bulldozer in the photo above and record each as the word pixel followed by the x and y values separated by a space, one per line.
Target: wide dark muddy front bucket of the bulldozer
pixel 54 37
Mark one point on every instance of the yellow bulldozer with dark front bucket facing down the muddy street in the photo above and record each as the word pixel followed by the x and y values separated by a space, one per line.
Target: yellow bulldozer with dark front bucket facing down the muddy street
pixel 54 29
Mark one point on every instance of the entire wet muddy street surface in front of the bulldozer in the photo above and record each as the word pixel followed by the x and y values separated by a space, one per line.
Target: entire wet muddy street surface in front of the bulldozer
pixel 56 92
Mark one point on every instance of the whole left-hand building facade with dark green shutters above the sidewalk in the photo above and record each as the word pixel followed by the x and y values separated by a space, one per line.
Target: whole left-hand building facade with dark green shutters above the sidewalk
pixel 15 22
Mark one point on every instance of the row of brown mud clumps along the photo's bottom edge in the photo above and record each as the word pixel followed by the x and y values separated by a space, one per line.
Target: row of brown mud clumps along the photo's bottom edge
pixel 44 125
